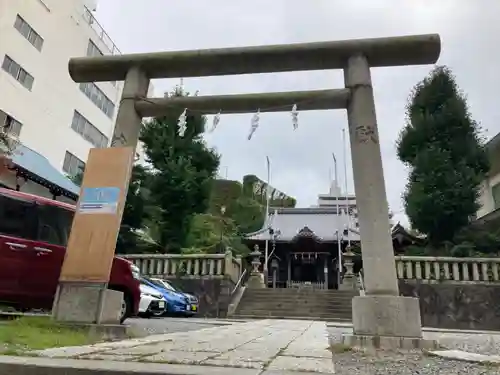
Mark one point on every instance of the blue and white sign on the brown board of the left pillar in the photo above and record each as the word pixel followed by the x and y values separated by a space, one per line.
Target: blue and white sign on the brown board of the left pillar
pixel 103 200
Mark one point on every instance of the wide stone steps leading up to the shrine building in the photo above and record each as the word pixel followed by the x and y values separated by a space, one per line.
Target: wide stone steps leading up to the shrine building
pixel 329 305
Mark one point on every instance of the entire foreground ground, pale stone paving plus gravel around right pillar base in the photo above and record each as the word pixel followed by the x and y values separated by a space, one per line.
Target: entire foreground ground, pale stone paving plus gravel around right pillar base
pixel 267 347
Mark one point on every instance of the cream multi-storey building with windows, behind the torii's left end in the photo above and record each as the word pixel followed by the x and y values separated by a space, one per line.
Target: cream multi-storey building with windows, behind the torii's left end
pixel 39 102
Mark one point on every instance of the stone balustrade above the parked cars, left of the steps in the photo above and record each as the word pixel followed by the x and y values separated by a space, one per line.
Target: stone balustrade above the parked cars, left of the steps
pixel 188 265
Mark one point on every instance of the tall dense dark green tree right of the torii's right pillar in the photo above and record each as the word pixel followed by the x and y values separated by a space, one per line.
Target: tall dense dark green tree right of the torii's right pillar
pixel 441 145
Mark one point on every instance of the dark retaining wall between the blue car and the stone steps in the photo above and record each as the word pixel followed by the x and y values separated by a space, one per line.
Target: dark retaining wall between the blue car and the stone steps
pixel 214 294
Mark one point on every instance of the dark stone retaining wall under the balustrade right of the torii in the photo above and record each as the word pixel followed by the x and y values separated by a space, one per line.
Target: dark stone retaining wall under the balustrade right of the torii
pixel 456 306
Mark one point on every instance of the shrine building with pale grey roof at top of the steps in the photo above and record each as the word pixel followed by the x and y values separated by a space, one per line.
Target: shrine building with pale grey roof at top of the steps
pixel 303 242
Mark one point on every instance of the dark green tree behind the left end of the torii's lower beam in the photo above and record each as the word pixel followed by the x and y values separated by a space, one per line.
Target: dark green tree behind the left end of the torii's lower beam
pixel 183 172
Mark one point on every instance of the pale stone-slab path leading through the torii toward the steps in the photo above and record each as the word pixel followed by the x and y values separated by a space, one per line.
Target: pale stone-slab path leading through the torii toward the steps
pixel 273 345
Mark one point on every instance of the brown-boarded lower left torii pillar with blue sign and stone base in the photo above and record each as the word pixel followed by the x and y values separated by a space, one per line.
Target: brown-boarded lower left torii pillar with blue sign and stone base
pixel 82 292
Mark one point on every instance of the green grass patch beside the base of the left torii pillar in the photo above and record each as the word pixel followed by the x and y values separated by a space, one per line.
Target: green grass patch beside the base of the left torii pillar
pixel 35 333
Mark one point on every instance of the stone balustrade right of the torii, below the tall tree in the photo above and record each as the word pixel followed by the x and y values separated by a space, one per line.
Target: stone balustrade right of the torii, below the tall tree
pixel 448 269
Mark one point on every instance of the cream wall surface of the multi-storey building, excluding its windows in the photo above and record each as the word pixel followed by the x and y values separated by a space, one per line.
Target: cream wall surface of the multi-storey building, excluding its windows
pixel 47 110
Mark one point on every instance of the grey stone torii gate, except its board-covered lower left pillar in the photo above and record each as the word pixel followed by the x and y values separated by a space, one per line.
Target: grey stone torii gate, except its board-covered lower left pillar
pixel 380 317
